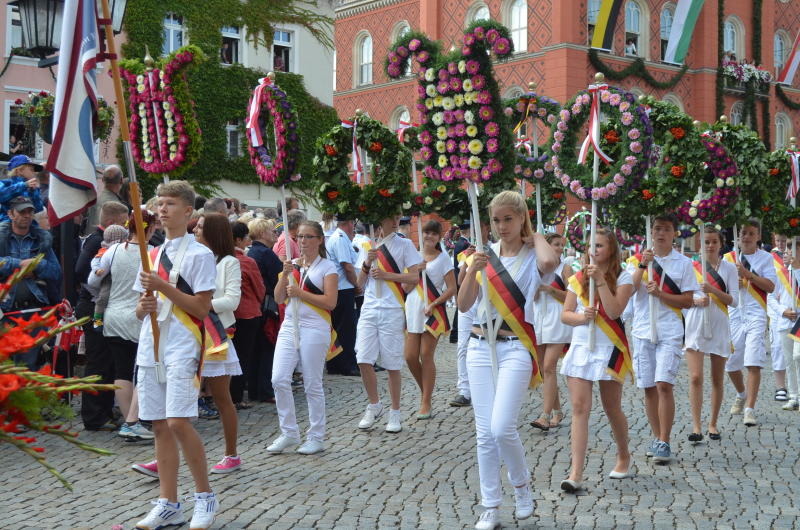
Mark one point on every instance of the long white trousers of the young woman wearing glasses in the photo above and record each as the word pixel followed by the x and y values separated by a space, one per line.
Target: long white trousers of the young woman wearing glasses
pixel 314 344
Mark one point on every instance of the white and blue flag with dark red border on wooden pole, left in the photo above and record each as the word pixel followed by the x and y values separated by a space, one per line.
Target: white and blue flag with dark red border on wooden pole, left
pixel 73 186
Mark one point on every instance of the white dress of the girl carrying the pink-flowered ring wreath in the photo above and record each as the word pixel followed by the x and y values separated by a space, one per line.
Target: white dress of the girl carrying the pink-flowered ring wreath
pixel 590 364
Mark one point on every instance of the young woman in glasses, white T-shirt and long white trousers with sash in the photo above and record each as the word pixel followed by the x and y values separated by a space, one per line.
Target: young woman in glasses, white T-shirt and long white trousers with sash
pixel 315 290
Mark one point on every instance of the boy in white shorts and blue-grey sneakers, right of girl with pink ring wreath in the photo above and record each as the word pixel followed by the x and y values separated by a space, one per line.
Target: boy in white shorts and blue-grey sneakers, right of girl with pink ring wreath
pixel 656 363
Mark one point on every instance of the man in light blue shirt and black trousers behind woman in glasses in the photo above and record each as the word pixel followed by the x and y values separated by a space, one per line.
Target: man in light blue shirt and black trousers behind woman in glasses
pixel 340 251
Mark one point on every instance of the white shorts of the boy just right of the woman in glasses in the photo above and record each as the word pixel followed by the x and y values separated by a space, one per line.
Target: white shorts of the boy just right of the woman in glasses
pixel 380 337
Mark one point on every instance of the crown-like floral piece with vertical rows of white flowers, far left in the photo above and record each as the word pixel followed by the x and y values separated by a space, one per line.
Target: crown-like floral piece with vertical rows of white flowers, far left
pixel 165 134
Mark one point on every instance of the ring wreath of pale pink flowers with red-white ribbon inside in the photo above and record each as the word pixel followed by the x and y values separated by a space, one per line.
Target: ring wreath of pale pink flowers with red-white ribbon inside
pixel 631 161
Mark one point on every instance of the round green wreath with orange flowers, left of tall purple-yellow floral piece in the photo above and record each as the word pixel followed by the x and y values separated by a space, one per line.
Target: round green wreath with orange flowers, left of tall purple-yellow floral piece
pixel 389 175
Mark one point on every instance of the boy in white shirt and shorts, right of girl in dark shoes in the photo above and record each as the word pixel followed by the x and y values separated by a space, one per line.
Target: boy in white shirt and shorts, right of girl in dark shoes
pixel 749 320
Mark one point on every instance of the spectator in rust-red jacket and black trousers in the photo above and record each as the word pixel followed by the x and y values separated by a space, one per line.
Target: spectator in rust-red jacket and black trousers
pixel 248 317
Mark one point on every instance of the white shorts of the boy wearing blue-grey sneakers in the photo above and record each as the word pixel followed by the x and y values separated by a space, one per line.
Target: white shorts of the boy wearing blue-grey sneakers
pixel 656 362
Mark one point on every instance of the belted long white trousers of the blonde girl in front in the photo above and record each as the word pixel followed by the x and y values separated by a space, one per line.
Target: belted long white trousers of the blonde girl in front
pixel 496 411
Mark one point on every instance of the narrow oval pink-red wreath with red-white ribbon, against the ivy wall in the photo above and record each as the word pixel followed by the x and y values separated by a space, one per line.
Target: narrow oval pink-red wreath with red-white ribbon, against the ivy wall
pixel 276 168
